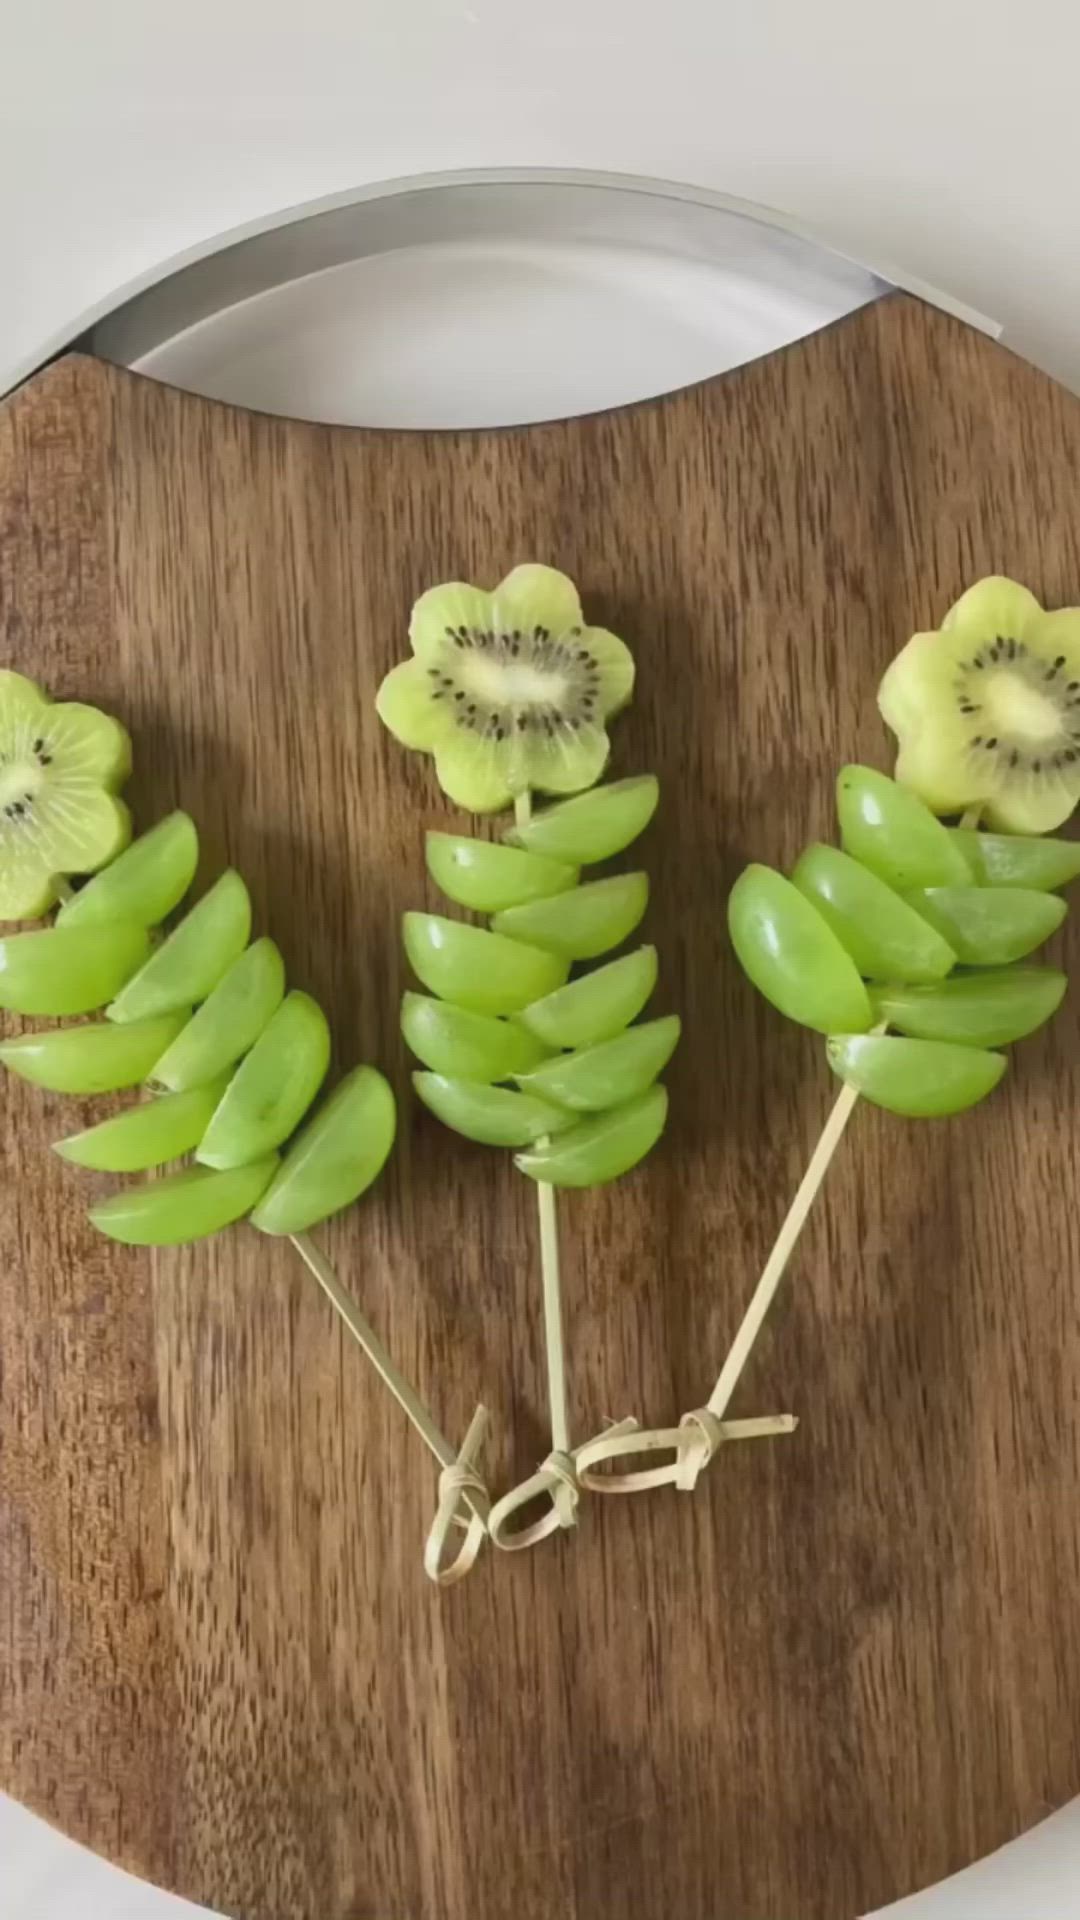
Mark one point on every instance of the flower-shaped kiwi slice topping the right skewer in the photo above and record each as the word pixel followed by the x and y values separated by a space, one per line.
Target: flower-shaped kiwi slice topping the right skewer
pixel 987 709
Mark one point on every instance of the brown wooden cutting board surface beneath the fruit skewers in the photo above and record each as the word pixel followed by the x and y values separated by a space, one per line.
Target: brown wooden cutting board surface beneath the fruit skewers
pixel 848 1664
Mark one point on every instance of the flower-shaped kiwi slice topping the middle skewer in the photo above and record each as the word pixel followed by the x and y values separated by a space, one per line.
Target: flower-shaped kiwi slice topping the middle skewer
pixel 508 690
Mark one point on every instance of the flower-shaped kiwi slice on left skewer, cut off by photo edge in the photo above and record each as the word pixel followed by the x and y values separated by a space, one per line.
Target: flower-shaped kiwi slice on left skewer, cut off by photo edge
pixel 61 765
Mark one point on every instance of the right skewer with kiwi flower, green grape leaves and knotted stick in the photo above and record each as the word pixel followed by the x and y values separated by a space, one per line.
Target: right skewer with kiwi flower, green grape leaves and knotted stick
pixel 870 936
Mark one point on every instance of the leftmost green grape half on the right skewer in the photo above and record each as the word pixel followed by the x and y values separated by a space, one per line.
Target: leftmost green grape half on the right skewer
pixel 793 957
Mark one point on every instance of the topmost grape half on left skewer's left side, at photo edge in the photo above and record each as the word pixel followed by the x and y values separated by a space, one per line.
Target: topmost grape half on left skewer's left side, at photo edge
pixel 70 971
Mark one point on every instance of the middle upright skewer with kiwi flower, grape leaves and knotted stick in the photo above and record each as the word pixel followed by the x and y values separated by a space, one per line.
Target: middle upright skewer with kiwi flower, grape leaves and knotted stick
pixel 510 692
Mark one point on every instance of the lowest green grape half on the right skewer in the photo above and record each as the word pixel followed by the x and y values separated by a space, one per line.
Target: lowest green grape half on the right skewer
pixel 921 1080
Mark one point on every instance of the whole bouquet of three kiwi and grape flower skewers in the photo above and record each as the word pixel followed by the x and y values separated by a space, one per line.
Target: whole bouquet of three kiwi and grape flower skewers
pixel 908 949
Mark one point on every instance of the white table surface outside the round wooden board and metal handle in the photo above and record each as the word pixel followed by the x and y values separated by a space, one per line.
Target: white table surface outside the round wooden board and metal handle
pixel 943 137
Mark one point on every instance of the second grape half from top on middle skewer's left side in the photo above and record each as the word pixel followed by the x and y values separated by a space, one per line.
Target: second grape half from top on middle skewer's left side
pixel 479 971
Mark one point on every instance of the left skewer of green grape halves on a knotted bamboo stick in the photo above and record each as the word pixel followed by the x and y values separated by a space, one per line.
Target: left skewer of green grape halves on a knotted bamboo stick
pixel 232 1092
